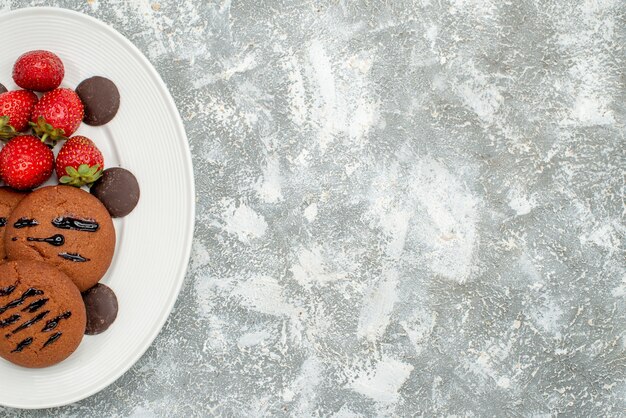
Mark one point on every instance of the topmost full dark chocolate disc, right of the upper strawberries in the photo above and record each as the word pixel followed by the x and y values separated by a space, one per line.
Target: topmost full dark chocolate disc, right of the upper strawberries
pixel 100 98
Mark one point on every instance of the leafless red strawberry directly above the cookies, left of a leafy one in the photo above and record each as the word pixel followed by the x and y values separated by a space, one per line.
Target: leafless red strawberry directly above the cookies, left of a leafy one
pixel 25 162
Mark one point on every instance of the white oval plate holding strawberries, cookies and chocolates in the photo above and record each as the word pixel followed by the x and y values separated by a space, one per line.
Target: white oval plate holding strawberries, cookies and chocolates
pixel 154 241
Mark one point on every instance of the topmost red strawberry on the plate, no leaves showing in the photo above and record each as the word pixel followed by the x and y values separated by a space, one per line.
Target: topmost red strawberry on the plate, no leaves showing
pixel 38 70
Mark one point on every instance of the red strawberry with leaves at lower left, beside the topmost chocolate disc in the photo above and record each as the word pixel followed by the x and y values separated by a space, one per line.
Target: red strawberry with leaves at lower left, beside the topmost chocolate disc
pixel 57 114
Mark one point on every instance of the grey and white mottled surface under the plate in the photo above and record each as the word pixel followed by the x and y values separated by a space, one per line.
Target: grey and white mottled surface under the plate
pixel 403 208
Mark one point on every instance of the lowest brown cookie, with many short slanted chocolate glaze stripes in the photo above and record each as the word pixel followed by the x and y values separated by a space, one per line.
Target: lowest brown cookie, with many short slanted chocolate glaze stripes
pixel 42 315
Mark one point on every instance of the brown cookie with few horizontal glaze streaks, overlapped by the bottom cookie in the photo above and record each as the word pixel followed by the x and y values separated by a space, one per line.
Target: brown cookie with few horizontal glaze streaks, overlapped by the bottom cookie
pixel 66 227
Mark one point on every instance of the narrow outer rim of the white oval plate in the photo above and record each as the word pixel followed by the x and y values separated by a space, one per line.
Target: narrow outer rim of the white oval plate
pixel 188 170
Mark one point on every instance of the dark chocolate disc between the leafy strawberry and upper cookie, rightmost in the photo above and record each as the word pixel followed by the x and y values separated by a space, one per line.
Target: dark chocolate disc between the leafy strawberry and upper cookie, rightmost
pixel 118 190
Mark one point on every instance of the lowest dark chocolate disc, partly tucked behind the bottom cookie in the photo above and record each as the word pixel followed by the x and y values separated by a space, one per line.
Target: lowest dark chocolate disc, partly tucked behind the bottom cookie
pixel 101 305
